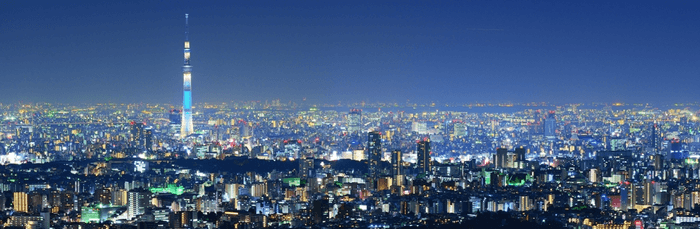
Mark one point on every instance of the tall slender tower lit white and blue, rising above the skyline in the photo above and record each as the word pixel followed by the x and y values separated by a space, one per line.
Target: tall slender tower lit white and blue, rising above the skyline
pixel 187 128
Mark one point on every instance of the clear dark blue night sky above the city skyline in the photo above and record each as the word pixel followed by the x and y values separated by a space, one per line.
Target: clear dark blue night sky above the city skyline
pixel 326 51
